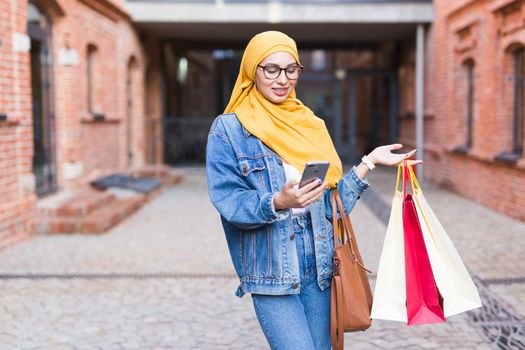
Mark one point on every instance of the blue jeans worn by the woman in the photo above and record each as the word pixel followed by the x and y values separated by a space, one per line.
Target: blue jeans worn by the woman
pixel 298 321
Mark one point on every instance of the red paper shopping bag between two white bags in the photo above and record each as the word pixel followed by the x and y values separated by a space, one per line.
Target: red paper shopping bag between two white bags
pixel 424 303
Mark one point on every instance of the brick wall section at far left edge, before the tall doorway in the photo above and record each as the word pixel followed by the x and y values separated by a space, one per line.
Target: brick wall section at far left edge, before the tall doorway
pixel 16 180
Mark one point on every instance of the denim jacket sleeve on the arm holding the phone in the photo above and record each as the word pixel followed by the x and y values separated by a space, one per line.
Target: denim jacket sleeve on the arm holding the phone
pixel 239 204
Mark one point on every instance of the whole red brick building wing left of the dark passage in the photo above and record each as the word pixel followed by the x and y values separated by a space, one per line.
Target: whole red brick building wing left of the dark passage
pixel 71 101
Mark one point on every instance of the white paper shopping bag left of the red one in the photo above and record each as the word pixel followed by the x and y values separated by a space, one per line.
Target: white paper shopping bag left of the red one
pixel 390 288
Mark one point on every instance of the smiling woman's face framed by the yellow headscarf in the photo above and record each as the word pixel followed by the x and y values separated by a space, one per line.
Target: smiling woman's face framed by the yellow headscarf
pixel 276 90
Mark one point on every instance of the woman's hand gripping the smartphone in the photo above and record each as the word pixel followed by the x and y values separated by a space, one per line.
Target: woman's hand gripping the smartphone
pixel 291 197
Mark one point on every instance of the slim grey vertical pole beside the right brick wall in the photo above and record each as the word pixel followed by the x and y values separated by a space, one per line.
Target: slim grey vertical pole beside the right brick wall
pixel 420 141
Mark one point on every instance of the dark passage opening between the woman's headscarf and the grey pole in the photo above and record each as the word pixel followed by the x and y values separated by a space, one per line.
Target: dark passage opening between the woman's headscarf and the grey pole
pixel 355 91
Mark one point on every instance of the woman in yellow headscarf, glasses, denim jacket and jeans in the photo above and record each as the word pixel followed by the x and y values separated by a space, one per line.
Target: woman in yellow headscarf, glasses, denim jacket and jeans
pixel 279 236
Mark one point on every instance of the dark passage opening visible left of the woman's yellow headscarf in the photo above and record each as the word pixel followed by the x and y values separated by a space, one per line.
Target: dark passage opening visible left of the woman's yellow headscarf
pixel 197 85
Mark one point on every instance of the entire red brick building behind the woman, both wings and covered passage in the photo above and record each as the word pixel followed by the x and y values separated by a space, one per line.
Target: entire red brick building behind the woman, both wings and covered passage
pixel 89 87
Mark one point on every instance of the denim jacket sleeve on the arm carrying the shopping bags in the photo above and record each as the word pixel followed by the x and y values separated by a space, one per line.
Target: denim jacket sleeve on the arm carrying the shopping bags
pixel 350 188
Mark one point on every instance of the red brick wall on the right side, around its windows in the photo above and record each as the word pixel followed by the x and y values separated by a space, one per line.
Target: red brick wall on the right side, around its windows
pixel 477 31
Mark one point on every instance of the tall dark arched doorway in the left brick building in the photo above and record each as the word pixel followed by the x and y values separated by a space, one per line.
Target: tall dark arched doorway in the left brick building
pixel 44 169
